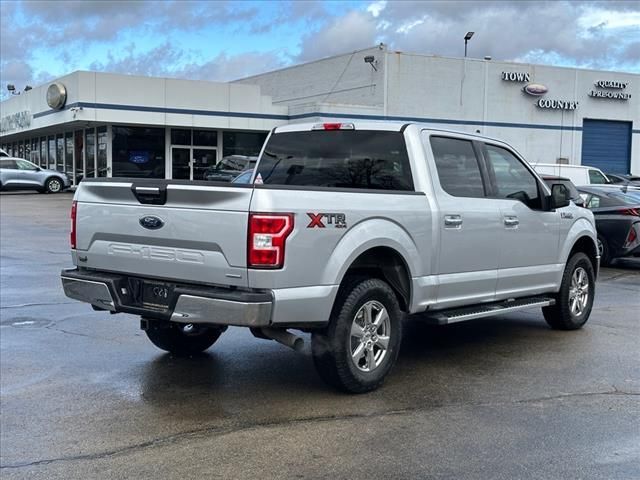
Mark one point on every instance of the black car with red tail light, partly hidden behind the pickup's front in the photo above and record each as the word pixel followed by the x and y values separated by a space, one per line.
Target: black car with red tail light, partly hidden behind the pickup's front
pixel 617 214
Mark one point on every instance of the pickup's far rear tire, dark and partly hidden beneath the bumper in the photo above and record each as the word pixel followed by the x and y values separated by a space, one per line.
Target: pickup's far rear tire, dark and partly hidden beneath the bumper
pixel 171 337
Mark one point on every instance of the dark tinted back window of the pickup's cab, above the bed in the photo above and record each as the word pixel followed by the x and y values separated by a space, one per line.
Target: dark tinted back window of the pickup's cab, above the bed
pixel 363 159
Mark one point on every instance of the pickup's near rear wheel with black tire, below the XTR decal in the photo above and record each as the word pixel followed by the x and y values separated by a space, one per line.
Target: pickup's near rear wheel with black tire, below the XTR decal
pixel 360 345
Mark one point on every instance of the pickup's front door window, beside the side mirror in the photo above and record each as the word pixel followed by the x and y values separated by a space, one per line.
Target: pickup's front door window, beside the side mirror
pixel 512 179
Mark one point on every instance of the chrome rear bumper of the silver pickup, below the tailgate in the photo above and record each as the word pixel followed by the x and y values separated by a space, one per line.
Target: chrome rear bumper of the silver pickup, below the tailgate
pixel 187 303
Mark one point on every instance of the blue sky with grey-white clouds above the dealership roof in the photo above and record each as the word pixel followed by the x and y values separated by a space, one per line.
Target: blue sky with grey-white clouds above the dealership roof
pixel 224 40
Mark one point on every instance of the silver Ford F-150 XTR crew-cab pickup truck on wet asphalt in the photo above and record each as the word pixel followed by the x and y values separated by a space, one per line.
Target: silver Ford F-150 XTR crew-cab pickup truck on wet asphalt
pixel 344 229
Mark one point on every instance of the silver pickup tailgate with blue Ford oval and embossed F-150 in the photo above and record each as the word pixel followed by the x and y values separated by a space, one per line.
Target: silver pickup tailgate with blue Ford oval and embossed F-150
pixel 200 236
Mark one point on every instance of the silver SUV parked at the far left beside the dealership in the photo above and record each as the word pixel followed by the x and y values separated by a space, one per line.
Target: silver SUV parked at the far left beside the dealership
pixel 19 174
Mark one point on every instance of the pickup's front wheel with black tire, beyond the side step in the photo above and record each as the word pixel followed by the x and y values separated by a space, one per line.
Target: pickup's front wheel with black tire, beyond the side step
pixel 575 298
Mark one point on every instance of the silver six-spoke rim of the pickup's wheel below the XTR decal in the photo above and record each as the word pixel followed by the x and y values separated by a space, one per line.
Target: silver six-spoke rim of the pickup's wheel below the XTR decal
pixel 369 339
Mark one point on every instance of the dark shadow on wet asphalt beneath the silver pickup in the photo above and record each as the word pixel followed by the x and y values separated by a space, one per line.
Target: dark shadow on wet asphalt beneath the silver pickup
pixel 248 376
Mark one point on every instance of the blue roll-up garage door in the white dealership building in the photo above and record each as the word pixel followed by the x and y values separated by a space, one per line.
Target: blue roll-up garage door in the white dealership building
pixel 607 145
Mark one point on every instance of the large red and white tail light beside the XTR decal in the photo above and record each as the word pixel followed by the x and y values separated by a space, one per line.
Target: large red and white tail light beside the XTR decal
pixel 267 237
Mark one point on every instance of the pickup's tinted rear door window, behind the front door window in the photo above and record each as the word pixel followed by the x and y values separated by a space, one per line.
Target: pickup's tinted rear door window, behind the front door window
pixel 458 168
